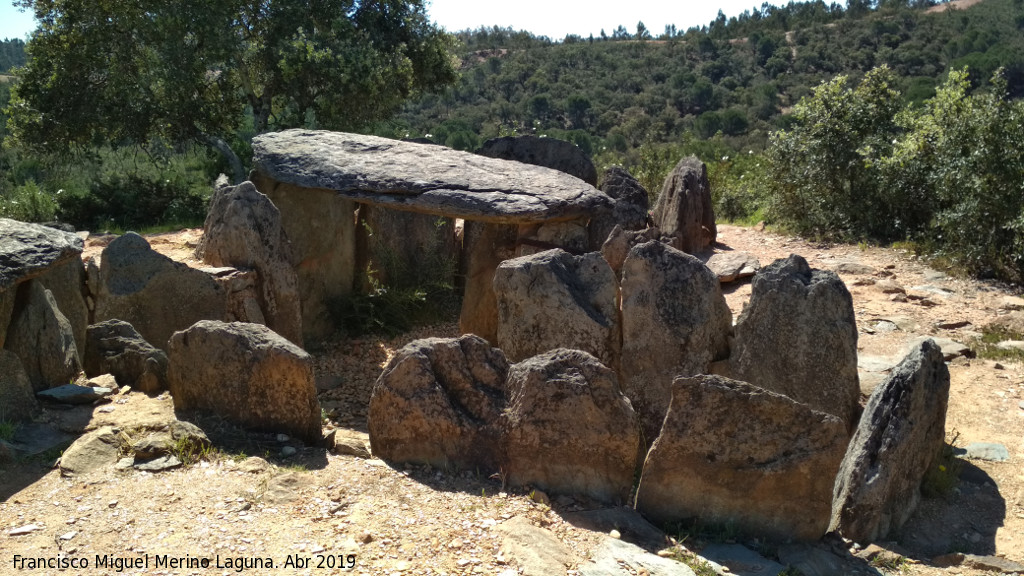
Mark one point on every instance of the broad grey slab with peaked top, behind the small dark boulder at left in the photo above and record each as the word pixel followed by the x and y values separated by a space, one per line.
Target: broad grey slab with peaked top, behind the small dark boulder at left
pixel 155 295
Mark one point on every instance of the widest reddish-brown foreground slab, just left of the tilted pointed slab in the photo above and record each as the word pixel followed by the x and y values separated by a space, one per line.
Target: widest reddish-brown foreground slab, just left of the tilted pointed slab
pixel 733 454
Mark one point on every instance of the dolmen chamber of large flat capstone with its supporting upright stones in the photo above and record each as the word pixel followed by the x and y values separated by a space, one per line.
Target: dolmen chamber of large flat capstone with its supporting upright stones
pixel 319 180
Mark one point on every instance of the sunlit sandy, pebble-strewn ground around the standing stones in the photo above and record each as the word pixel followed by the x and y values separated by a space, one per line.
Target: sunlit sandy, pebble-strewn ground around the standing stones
pixel 422 521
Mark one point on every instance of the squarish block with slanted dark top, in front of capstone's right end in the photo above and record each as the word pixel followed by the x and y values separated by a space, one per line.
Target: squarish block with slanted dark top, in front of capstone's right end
pixel 553 300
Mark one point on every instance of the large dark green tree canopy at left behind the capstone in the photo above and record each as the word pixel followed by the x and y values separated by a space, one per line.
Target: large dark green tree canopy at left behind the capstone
pixel 130 71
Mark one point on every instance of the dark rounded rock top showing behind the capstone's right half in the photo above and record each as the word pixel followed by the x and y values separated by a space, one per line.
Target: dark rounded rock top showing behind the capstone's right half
pixel 549 153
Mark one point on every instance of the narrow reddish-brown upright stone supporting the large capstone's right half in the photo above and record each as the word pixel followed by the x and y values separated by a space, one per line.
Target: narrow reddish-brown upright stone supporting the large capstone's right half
pixel 486 246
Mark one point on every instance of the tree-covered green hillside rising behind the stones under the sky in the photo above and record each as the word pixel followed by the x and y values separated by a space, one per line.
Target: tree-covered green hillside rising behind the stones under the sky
pixel 737 76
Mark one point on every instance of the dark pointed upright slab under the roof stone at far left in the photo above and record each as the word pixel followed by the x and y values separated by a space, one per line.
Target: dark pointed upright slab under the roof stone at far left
pixel 41 337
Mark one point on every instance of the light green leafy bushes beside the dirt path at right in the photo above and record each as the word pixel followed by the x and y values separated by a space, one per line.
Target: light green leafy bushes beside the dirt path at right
pixel 949 175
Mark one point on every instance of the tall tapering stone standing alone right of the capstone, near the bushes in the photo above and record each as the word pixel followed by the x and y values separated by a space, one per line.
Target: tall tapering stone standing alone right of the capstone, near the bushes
pixel 685 209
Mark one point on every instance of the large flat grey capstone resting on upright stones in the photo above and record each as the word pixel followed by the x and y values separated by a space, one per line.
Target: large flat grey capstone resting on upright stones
pixel 424 179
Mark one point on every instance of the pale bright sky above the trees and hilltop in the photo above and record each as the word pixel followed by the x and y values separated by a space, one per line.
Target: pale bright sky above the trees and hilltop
pixel 546 18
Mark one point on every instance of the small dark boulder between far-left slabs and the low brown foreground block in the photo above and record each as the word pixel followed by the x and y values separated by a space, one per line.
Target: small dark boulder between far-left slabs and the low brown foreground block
pixel 115 348
